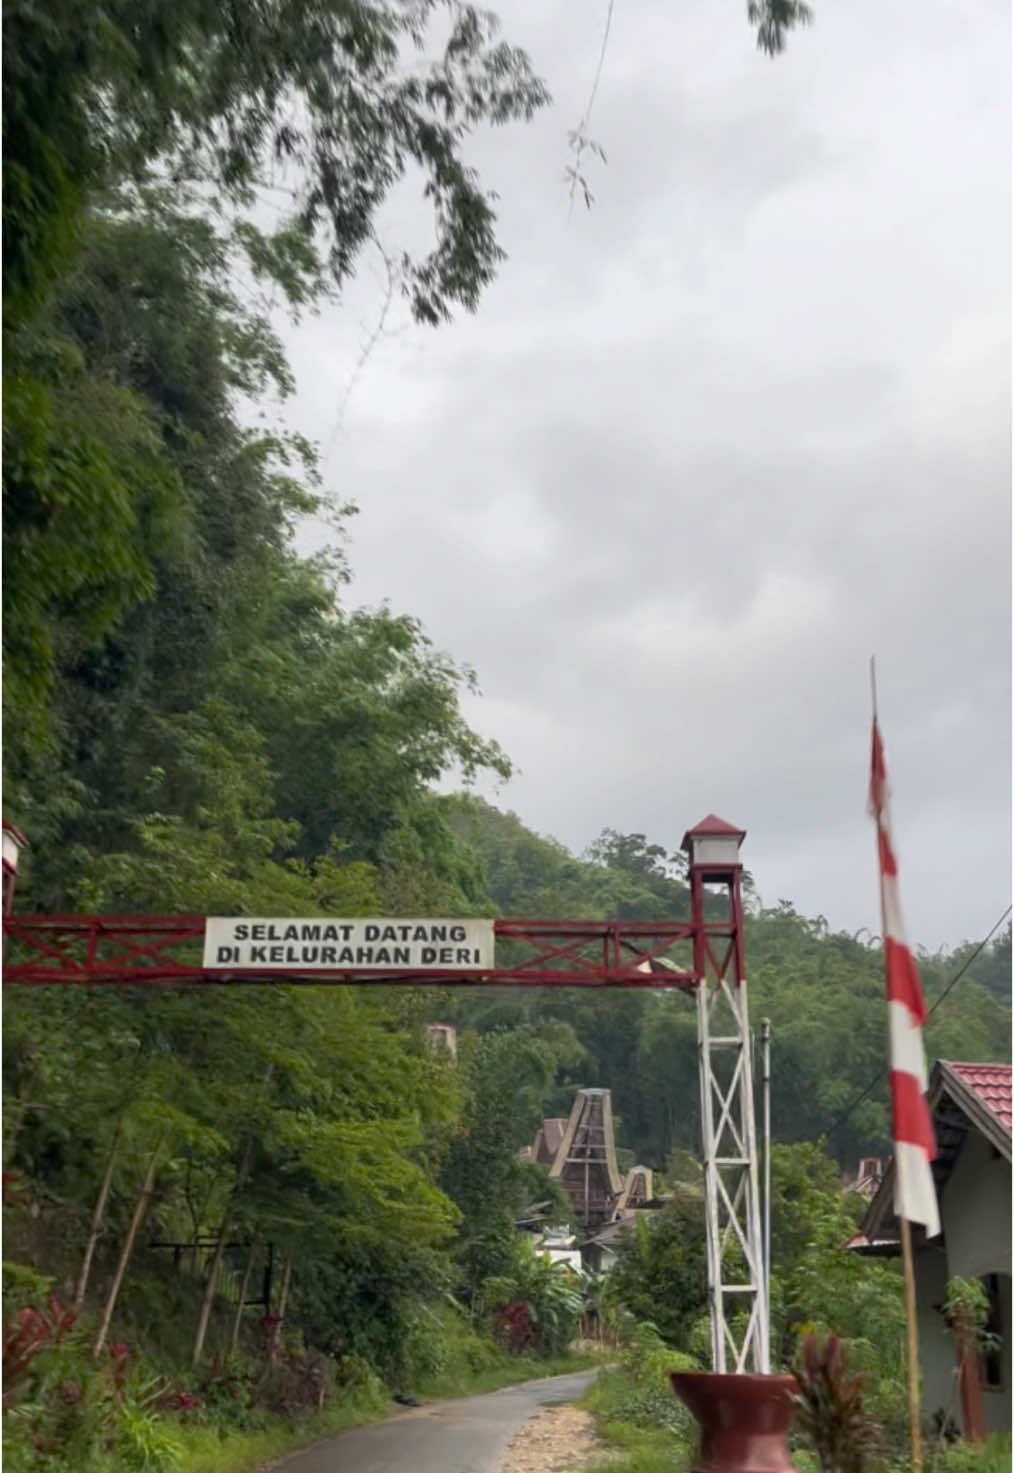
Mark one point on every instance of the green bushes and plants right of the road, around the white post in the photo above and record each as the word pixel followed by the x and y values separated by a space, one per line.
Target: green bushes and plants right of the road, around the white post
pixel 838 1325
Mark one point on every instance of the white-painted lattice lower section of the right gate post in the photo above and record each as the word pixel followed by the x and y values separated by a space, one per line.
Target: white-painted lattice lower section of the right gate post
pixel 736 1279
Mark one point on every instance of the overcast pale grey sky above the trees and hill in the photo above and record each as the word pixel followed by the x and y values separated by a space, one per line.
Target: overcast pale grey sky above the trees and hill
pixel 710 446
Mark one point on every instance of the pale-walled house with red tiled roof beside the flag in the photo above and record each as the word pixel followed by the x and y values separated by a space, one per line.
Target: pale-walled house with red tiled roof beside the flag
pixel 972 1120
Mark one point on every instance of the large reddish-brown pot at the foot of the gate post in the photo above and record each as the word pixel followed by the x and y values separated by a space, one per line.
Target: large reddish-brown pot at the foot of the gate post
pixel 744 1421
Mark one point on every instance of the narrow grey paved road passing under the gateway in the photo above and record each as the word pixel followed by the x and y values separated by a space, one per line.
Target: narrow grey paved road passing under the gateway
pixel 447 1437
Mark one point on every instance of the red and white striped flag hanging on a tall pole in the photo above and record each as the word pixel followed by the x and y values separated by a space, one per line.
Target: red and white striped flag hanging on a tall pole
pixel 912 1125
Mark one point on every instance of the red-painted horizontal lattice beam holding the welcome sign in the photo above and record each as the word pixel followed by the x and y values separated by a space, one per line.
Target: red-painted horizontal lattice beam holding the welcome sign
pixel 139 952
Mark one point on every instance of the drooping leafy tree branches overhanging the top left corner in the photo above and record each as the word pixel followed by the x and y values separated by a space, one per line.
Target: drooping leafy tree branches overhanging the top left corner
pixel 316 95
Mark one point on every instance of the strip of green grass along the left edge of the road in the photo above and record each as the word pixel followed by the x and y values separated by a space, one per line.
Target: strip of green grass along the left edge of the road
pixel 207 1450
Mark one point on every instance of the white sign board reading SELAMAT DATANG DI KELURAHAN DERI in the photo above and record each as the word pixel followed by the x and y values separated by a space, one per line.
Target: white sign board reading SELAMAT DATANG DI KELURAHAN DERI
pixel 326 943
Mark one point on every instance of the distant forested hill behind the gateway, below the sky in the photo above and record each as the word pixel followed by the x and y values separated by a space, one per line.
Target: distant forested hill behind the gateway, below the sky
pixel 822 991
